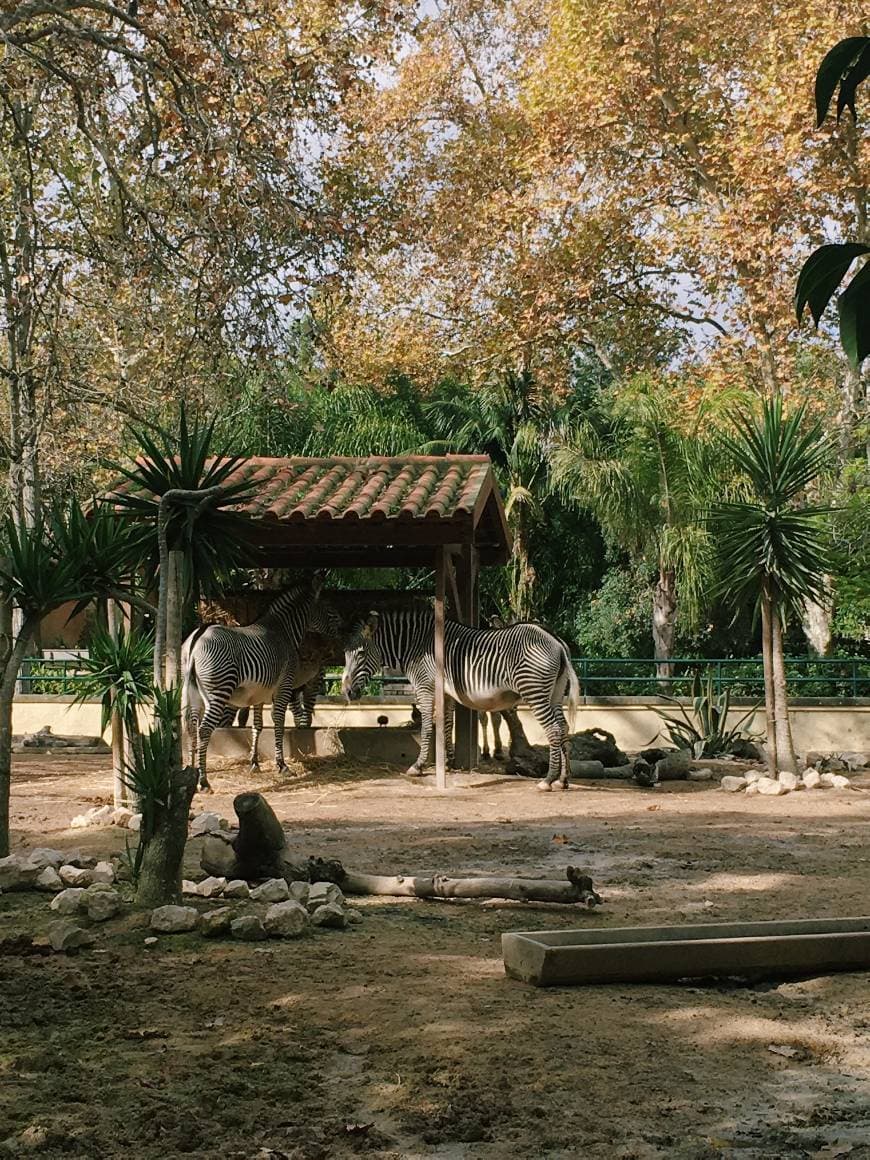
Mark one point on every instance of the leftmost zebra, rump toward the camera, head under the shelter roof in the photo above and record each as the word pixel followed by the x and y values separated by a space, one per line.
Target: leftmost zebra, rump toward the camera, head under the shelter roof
pixel 249 666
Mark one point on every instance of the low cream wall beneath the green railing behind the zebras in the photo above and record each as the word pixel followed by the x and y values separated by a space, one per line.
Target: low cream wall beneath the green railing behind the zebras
pixel 832 727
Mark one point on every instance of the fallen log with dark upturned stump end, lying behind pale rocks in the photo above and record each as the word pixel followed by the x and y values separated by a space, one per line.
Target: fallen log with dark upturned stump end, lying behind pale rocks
pixel 260 851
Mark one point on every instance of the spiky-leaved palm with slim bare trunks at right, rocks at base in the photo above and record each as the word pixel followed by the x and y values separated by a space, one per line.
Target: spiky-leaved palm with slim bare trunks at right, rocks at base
pixel 777 547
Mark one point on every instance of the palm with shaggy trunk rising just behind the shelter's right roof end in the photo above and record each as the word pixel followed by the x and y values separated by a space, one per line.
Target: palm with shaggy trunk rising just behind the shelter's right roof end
pixel 513 422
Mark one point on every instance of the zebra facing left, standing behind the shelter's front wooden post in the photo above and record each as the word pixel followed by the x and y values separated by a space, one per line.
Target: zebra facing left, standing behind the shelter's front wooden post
pixel 484 669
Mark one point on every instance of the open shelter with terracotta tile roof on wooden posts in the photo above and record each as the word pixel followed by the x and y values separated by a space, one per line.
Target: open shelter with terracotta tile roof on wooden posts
pixel 439 512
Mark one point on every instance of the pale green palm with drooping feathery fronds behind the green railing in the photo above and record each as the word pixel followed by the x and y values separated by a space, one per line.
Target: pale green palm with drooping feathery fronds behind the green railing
pixel 646 478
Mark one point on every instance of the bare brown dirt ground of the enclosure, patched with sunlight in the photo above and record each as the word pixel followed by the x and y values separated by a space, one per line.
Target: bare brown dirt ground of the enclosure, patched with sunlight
pixel 402 1038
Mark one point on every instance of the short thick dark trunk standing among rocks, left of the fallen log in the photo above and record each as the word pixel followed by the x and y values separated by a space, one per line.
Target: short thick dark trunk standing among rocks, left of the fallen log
pixel 161 872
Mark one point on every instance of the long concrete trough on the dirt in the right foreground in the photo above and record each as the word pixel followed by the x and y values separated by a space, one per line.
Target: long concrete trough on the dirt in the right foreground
pixel 555 959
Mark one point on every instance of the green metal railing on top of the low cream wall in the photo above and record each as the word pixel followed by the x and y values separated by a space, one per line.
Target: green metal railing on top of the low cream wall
pixel 600 677
